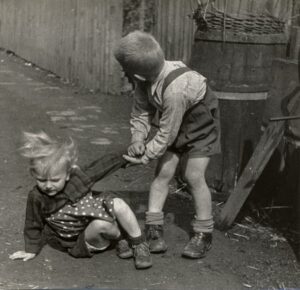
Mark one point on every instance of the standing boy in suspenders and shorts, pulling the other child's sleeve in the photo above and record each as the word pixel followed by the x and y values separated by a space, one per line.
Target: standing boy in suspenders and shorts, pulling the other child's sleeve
pixel 188 129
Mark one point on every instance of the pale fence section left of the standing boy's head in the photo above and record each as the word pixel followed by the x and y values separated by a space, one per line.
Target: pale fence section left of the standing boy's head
pixel 72 38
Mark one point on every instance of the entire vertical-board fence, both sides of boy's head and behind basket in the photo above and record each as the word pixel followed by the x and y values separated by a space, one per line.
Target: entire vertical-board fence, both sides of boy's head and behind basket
pixel 75 38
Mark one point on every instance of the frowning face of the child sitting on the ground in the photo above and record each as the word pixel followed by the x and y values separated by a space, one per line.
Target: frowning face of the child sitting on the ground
pixel 53 182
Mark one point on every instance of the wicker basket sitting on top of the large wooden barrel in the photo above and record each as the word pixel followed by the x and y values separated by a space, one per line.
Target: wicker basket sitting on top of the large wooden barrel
pixel 243 23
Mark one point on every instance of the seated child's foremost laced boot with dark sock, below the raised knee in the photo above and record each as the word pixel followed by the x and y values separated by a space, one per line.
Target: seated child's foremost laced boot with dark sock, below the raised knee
pixel 141 253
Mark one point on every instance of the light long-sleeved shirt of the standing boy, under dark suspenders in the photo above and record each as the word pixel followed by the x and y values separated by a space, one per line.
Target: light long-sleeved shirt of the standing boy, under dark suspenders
pixel 183 93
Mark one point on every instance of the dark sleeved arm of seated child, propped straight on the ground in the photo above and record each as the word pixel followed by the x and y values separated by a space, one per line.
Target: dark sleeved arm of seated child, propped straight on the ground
pixel 34 224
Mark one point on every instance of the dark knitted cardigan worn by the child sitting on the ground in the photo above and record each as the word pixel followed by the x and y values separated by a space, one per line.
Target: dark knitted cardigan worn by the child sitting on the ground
pixel 39 205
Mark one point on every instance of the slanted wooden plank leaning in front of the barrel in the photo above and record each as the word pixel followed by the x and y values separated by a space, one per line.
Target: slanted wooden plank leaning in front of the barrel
pixel 262 154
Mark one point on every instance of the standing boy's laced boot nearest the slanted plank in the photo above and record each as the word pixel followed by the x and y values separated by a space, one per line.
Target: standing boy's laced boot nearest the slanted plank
pixel 198 246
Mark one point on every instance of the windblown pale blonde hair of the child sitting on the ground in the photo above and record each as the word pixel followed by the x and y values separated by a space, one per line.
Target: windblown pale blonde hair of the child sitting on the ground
pixel 46 153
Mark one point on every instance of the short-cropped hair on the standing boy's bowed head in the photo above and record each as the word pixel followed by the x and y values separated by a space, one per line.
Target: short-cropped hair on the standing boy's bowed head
pixel 138 52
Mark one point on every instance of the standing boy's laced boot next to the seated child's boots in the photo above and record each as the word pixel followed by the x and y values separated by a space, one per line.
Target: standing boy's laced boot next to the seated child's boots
pixel 154 236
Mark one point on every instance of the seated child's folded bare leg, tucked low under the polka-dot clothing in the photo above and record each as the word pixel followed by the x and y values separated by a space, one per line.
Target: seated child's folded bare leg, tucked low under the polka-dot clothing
pixel 95 230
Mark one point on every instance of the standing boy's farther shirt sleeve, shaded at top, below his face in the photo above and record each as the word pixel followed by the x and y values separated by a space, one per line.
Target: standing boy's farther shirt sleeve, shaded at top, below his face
pixel 141 115
